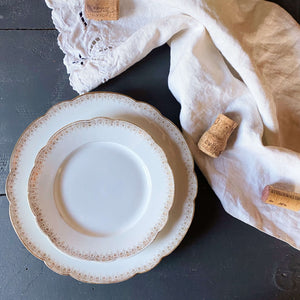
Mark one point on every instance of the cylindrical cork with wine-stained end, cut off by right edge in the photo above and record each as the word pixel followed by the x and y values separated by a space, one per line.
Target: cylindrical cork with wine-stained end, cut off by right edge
pixel 281 198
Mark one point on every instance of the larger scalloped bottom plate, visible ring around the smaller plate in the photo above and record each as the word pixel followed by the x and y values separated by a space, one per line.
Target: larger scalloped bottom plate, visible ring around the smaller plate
pixel 88 106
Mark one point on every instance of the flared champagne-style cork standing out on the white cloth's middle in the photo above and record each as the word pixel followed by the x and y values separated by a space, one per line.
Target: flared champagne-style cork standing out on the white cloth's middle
pixel 213 142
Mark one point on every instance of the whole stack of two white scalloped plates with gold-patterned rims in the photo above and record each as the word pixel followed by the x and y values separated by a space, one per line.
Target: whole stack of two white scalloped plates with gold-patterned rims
pixel 101 188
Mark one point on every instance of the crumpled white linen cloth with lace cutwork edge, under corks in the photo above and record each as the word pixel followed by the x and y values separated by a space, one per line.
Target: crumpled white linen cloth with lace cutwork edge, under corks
pixel 237 57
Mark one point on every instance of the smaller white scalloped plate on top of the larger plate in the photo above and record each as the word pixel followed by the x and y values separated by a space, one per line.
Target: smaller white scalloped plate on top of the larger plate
pixel 101 189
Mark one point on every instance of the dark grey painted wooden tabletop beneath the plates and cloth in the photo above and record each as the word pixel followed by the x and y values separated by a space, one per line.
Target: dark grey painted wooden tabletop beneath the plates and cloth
pixel 220 257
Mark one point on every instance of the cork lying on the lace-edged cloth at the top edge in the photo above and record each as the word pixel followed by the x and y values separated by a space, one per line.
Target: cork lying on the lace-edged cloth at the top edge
pixel 102 10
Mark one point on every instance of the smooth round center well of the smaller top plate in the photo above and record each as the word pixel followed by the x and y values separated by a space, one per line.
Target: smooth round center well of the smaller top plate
pixel 102 188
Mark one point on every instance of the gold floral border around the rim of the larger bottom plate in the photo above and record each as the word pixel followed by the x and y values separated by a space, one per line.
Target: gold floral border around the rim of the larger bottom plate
pixel 188 208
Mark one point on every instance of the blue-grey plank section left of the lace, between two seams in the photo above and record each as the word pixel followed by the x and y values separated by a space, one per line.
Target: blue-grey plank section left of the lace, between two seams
pixel 32 79
